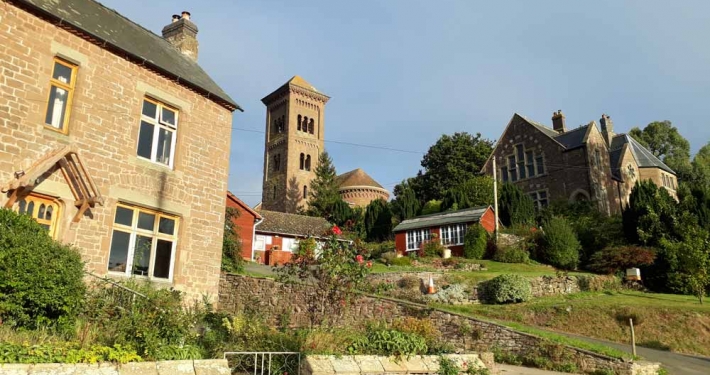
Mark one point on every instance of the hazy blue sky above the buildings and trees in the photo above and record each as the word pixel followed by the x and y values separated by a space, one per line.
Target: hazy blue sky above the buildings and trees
pixel 401 73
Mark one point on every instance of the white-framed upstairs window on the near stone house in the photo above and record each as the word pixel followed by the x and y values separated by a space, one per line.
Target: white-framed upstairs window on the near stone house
pixel 158 131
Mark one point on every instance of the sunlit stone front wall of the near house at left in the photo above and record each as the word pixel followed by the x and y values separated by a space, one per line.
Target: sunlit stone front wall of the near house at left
pixel 103 125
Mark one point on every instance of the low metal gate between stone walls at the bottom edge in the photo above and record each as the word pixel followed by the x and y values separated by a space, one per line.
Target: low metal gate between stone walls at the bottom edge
pixel 264 363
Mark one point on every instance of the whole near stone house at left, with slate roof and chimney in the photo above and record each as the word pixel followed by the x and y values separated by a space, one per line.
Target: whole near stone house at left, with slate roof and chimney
pixel 115 140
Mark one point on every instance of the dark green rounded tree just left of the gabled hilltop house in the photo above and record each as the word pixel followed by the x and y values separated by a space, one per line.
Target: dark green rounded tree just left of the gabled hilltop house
pixel 452 160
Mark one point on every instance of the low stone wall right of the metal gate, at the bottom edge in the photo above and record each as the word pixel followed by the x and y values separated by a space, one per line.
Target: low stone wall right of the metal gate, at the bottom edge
pixel 370 364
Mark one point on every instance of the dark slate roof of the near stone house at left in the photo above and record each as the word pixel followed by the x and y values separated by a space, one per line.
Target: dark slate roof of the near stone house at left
pixel 114 30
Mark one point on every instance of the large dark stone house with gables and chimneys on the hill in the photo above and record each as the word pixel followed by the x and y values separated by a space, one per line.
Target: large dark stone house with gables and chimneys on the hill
pixel 583 164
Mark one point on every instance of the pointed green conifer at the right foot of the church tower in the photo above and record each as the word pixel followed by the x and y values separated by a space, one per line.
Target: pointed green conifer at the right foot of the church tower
pixel 324 189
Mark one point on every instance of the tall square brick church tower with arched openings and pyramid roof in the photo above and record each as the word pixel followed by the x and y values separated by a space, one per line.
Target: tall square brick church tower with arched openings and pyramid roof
pixel 293 142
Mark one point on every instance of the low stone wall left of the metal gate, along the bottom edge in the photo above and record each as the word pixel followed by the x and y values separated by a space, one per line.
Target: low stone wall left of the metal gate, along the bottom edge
pixel 196 367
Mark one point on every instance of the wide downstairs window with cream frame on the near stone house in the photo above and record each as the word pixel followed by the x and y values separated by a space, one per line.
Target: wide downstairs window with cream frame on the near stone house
pixel 143 243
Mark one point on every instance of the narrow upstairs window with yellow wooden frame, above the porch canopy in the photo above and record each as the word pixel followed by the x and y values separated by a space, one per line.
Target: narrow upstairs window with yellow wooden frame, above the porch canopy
pixel 61 91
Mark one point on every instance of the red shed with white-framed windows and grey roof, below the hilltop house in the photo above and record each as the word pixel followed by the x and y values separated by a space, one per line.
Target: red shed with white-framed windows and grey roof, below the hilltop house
pixel 447 227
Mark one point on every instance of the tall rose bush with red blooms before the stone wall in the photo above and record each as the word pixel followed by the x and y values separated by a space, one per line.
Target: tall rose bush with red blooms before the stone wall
pixel 335 275
